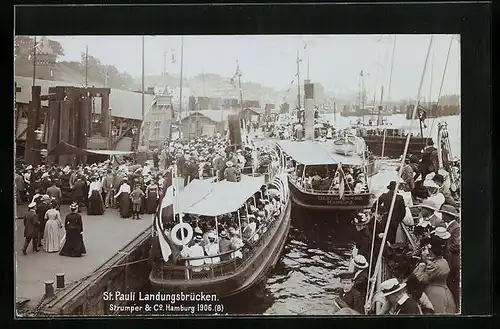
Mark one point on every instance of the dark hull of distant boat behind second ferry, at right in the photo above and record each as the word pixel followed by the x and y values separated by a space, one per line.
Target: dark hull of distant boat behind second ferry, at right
pixel 394 146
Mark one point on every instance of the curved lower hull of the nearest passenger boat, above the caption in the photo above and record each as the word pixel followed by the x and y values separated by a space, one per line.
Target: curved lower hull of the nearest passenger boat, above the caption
pixel 245 276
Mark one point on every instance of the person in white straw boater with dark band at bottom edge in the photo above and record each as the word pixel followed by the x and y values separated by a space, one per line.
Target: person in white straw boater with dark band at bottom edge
pixel 400 301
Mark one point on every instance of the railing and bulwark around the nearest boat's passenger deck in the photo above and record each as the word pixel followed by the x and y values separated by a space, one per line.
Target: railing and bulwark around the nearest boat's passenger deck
pixel 210 270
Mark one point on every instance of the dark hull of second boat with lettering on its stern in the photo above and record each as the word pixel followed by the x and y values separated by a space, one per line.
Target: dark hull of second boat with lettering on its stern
pixel 322 201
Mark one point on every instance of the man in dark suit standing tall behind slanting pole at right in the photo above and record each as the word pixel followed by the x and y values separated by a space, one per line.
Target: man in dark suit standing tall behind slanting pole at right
pixel 399 212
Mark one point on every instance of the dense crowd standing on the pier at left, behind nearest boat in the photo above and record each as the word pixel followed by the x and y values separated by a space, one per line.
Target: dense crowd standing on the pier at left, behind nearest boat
pixel 132 188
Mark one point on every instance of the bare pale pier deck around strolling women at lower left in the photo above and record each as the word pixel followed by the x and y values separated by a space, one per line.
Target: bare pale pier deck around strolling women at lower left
pixel 103 235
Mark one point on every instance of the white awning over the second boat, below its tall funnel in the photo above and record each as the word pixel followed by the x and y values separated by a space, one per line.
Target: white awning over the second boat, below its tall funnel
pixel 311 153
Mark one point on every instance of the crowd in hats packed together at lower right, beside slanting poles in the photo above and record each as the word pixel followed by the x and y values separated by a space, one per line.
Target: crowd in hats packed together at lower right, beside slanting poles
pixel 422 252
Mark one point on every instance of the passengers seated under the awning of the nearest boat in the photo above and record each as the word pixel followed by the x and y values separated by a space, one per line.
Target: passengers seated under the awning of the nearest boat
pixel 220 239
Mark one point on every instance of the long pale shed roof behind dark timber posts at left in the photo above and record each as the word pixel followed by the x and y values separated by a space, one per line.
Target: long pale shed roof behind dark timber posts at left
pixel 124 104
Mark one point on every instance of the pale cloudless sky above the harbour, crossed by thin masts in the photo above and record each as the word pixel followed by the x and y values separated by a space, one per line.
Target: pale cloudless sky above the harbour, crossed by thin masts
pixel 335 61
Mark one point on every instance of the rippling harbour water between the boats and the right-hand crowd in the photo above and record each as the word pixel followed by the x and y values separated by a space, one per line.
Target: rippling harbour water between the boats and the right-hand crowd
pixel 303 283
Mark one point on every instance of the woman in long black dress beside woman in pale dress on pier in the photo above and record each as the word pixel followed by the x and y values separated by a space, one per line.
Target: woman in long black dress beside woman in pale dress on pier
pixel 74 246
